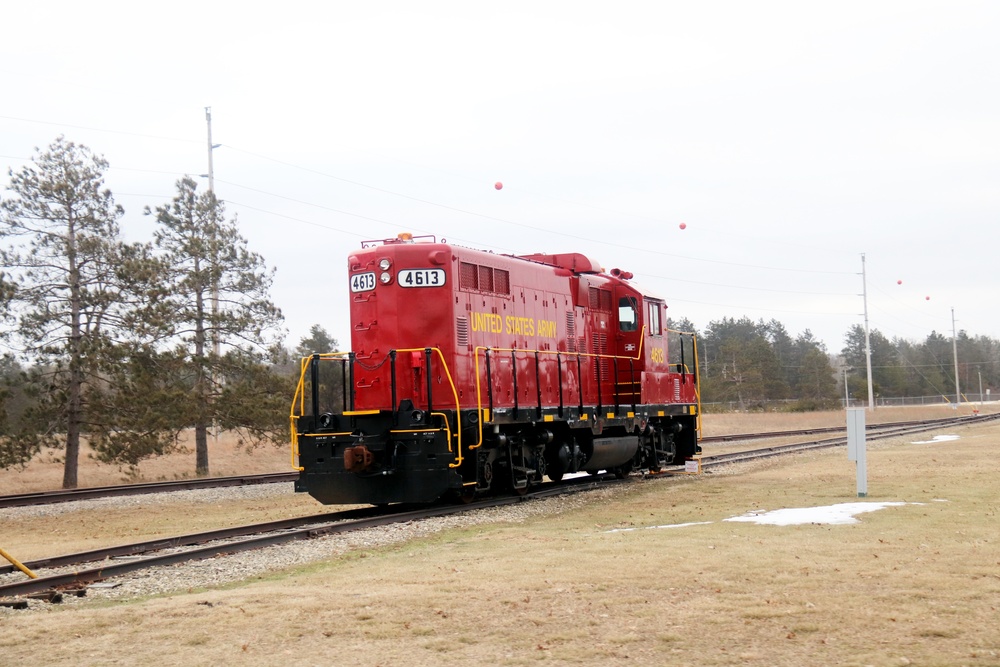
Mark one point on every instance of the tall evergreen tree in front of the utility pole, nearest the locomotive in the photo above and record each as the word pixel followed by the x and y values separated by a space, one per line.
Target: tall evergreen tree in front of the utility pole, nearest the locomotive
pixel 223 321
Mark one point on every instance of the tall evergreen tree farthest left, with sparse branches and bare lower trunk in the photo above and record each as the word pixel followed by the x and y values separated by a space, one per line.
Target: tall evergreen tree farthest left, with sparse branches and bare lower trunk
pixel 74 288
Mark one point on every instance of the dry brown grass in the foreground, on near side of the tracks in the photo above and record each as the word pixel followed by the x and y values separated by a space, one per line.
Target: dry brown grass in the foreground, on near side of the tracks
pixel 916 584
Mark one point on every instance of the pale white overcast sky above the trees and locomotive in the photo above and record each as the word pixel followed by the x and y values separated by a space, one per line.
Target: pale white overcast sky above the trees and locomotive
pixel 788 137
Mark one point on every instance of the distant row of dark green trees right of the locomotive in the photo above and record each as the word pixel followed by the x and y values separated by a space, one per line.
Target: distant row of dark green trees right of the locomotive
pixel 751 364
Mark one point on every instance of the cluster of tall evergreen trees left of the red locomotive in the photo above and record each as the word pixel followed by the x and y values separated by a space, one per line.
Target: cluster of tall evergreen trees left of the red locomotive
pixel 127 344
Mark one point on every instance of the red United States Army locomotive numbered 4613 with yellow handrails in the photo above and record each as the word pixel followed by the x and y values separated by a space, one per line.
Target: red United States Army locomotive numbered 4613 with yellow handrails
pixel 473 372
